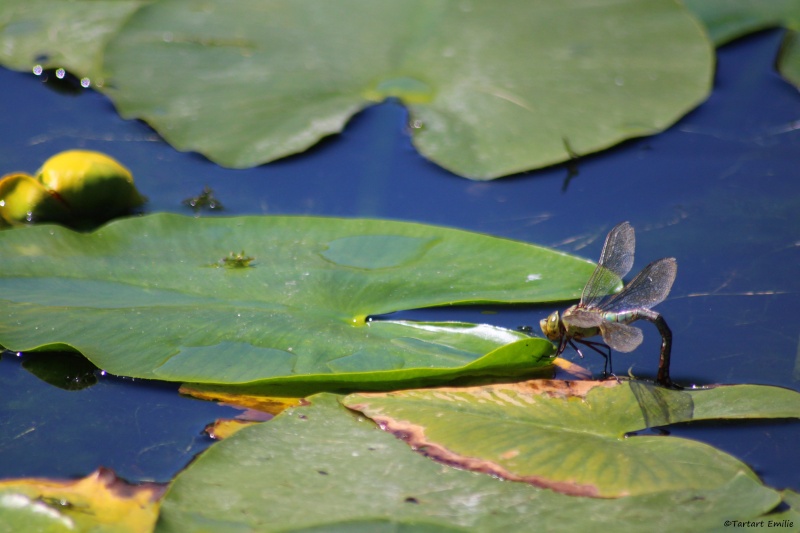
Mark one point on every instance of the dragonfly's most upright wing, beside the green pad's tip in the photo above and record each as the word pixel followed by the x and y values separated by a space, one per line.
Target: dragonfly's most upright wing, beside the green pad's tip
pixel 616 260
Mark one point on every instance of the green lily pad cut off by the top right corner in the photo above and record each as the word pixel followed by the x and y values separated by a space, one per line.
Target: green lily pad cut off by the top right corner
pixel 727 20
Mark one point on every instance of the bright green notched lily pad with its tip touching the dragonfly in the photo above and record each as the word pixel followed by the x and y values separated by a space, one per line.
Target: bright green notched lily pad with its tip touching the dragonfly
pixel 148 297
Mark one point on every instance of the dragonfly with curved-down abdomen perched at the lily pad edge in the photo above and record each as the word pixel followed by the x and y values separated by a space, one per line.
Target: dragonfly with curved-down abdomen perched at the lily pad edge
pixel 610 315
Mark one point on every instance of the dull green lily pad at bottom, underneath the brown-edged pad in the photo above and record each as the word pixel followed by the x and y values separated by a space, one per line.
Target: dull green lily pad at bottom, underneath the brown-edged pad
pixel 321 468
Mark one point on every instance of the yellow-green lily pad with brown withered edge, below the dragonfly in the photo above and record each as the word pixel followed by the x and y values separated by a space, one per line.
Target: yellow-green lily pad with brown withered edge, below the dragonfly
pixel 571 436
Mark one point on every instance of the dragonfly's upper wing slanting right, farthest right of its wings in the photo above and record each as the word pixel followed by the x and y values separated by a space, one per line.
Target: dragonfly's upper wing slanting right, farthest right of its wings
pixel 650 287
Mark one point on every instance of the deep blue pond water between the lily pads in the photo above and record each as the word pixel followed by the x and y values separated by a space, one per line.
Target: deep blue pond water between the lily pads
pixel 719 191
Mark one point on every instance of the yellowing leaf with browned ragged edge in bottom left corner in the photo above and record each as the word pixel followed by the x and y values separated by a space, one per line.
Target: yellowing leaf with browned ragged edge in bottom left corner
pixel 99 502
